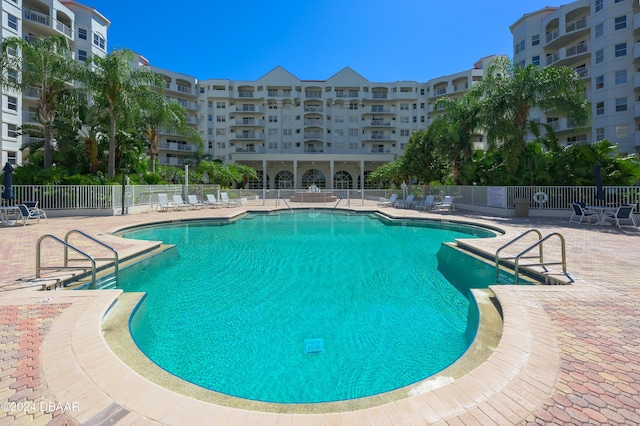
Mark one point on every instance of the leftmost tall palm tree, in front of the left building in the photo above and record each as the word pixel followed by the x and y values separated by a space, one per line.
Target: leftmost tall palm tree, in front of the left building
pixel 45 65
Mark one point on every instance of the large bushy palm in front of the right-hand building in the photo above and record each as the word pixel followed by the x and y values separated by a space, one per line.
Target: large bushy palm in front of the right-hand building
pixel 510 92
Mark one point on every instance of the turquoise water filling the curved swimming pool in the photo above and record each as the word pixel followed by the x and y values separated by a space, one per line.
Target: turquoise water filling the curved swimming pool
pixel 236 304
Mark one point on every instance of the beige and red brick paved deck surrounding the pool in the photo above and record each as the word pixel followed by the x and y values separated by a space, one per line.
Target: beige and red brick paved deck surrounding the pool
pixel 569 354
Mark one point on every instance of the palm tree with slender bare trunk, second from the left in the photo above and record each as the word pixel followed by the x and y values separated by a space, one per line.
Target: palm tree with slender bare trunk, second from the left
pixel 119 87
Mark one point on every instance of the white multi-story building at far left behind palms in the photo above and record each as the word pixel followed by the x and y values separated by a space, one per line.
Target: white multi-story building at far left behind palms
pixel 86 31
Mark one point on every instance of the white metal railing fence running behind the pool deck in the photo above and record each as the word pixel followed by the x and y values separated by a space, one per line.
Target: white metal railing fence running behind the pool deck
pixel 111 198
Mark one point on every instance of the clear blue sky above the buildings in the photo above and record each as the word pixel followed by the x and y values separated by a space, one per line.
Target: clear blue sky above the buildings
pixel 382 40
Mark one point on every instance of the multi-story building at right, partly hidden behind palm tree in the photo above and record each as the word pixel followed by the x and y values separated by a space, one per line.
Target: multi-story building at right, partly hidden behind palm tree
pixel 597 38
